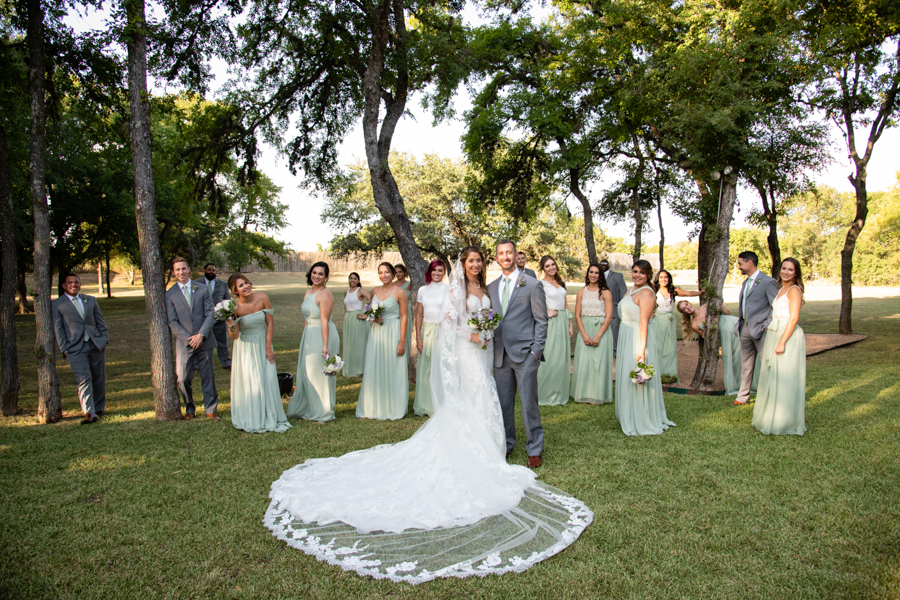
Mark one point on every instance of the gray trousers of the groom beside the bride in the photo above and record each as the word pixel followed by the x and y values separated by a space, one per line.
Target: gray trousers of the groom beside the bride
pixel 510 376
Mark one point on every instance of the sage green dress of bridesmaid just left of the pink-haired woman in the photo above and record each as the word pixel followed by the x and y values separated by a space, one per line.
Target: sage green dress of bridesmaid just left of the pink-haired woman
pixel 385 388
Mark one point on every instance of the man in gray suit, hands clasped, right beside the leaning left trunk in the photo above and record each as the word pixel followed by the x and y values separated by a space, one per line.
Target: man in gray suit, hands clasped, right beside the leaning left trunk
pixel 191 317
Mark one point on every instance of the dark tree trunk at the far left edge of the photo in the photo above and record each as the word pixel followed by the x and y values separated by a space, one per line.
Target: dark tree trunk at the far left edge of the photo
pixel 9 357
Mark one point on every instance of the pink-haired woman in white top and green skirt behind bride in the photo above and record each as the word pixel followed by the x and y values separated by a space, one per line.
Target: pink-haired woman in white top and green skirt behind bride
pixel 428 308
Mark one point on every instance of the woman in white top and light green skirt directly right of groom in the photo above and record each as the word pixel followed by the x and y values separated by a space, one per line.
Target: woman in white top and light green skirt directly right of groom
pixel 554 370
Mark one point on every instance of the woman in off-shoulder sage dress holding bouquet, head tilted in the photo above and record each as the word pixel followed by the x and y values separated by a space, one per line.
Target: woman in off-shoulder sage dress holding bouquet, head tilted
pixel 255 396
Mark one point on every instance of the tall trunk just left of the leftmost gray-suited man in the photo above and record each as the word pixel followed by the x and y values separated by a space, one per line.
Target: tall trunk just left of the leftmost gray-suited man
pixel 49 404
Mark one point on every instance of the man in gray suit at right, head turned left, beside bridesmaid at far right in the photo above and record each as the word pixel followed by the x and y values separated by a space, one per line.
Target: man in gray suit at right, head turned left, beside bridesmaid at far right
pixel 754 315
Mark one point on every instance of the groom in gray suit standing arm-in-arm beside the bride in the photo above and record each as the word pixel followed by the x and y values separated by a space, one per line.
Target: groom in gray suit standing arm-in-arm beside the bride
pixel 518 348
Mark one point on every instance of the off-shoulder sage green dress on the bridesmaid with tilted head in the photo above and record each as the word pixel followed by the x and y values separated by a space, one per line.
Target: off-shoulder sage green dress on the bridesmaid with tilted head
pixel 255 397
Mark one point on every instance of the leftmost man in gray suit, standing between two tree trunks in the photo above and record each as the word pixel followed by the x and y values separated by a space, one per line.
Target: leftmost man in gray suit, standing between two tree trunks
pixel 82 337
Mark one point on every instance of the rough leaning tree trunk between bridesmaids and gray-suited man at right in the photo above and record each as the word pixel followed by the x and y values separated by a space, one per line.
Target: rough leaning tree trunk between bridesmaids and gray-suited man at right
pixel 705 376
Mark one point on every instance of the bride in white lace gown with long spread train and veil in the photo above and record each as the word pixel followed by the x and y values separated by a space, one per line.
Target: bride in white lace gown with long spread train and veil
pixel 443 503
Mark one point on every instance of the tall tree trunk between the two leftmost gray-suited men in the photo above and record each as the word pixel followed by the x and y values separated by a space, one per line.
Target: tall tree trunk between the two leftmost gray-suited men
pixel 162 363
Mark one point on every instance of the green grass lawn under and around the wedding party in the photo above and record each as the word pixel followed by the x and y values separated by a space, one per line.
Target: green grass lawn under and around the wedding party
pixel 129 508
